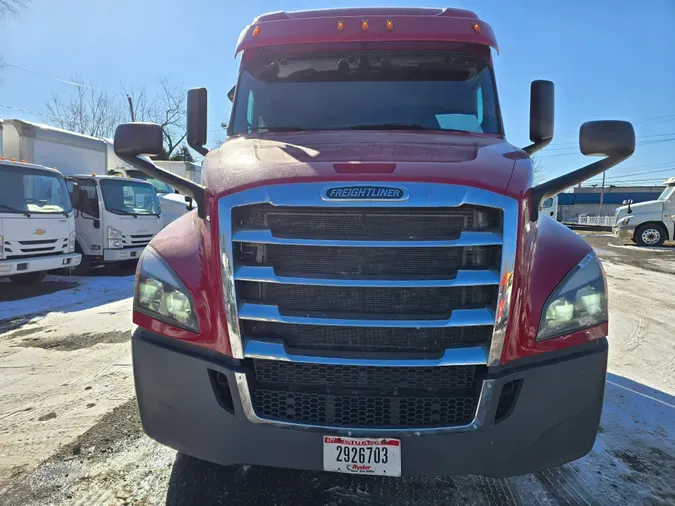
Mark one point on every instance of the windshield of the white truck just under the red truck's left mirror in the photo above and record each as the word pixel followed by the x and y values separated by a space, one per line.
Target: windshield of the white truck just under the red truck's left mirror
pixel 124 196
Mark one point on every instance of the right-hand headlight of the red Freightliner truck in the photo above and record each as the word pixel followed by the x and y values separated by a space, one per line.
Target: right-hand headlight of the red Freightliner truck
pixel 578 302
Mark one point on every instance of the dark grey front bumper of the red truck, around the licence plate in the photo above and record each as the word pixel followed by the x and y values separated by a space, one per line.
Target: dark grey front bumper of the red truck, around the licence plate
pixel 553 420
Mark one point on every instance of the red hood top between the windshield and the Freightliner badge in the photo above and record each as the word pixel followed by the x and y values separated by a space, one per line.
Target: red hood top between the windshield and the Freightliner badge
pixel 454 158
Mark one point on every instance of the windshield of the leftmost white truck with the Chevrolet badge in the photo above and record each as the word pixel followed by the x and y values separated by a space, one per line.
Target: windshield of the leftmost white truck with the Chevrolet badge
pixel 27 190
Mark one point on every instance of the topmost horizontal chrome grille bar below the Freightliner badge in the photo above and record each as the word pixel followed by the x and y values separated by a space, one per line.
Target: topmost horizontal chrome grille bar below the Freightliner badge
pixel 466 239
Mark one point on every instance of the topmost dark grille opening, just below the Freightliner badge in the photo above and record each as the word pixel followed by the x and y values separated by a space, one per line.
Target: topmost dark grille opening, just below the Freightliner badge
pixel 366 223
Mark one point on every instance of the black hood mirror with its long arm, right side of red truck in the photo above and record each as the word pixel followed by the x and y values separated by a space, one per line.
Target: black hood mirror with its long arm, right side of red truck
pixel 613 139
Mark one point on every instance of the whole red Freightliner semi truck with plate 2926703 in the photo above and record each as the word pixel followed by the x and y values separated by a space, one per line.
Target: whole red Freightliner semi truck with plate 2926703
pixel 365 286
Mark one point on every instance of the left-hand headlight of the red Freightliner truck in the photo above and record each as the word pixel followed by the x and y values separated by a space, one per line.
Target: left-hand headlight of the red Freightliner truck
pixel 160 294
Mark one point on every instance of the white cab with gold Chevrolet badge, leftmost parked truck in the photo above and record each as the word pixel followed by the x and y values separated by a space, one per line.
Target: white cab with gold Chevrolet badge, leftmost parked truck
pixel 37 226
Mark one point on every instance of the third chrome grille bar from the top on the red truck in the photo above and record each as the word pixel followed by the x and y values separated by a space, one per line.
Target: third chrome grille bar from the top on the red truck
pixel 458 318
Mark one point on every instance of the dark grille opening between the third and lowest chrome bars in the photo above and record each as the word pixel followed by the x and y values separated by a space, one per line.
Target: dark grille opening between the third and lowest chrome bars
pixel 369 339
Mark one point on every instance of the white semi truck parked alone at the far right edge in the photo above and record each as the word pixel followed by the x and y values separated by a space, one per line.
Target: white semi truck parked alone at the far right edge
pixel 648 223
